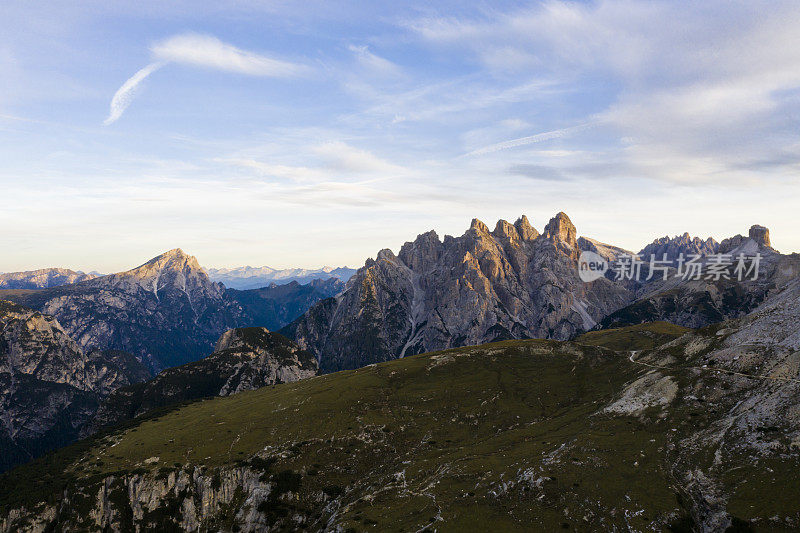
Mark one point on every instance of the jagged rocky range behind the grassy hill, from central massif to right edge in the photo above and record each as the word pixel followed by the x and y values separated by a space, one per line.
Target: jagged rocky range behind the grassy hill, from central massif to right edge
pixel 510 282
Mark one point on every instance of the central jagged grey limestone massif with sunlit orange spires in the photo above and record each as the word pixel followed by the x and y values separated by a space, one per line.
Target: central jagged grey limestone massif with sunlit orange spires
pixel 477 288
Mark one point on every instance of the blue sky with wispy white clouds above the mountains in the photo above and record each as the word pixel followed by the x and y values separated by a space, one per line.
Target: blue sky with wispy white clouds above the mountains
pixel 303 134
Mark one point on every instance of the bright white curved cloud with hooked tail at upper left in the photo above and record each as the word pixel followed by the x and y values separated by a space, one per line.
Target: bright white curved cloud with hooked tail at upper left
pixel 204 51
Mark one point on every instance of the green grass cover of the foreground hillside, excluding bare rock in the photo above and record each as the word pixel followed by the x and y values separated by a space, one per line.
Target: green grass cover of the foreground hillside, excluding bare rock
pixel 507 436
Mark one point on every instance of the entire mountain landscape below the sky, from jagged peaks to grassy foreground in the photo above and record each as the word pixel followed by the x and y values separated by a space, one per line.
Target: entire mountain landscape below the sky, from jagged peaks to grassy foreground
pixel 658 403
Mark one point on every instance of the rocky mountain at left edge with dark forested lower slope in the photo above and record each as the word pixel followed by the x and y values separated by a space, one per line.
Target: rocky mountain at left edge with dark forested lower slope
pixel 49 388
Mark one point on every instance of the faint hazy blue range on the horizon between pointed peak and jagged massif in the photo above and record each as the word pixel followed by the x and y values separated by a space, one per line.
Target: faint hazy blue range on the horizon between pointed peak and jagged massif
pixel 253 278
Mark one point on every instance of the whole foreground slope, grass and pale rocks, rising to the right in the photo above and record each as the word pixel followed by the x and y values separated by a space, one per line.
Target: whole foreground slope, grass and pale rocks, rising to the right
pixel 511 436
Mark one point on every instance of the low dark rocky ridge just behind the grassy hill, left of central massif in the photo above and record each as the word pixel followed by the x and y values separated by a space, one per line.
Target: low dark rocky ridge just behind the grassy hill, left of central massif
pixel 243 359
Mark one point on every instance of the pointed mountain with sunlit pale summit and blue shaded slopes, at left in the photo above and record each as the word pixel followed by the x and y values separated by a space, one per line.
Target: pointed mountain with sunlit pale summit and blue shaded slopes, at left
pixel 167 311
